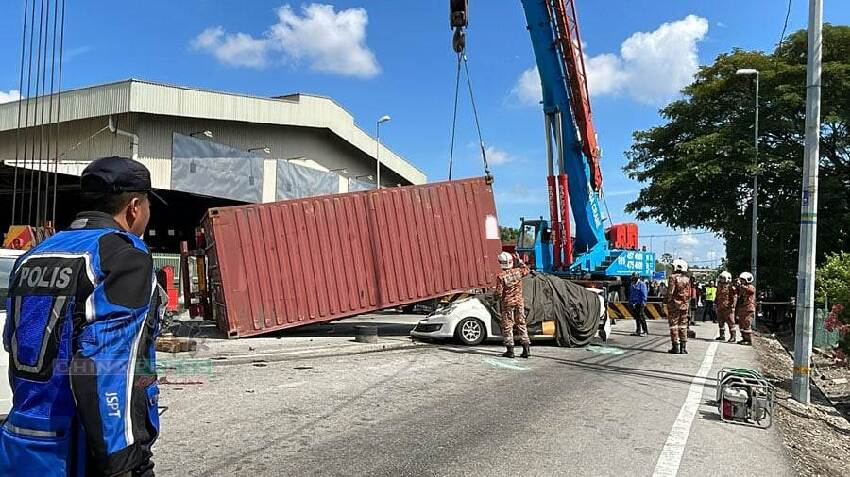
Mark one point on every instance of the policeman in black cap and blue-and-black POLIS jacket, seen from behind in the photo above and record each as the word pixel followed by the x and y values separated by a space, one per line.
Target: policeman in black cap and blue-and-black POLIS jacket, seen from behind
pixel 82 319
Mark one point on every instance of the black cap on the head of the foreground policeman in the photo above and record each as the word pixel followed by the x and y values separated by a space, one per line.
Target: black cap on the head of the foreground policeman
pixel 114 175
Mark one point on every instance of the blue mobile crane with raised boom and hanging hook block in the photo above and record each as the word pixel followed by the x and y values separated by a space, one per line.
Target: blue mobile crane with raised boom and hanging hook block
pixel 571 143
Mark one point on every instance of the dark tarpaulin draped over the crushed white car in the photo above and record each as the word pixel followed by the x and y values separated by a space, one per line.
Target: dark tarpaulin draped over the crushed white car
pixel 573 307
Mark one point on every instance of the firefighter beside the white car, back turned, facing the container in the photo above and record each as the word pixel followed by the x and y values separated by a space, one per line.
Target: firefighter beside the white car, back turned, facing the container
pixel 509 291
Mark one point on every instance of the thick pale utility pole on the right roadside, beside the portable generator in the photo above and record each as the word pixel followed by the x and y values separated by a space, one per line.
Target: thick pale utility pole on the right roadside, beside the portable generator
pixel 808 212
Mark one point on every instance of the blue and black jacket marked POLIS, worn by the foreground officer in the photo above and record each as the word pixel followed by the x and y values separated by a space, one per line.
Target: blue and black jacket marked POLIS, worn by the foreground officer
pixel 81 368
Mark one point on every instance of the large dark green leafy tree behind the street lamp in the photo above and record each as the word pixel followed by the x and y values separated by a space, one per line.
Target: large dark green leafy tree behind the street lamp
pixel 697 167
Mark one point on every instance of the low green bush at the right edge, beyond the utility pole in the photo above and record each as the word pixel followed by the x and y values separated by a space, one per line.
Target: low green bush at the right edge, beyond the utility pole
pixel 833 285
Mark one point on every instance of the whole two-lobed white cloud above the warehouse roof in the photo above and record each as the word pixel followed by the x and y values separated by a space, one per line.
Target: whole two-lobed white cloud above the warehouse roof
pixel 329 41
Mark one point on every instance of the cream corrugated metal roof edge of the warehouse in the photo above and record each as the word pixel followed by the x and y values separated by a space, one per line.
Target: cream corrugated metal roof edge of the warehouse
pixel 157 98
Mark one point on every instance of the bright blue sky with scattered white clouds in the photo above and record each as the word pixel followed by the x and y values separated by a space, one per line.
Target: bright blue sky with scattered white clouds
pixel 379 57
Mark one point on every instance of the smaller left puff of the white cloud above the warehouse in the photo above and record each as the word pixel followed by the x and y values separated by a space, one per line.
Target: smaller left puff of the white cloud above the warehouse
pixel 232 49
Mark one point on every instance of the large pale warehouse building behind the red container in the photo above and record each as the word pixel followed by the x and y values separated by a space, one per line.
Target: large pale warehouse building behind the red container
pixel 203 148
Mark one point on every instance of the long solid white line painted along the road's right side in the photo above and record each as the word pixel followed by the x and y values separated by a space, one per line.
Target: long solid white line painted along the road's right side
pixel 671 454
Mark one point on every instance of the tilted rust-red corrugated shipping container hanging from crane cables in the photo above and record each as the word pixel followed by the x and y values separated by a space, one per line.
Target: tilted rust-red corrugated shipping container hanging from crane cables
pixel 285 264
